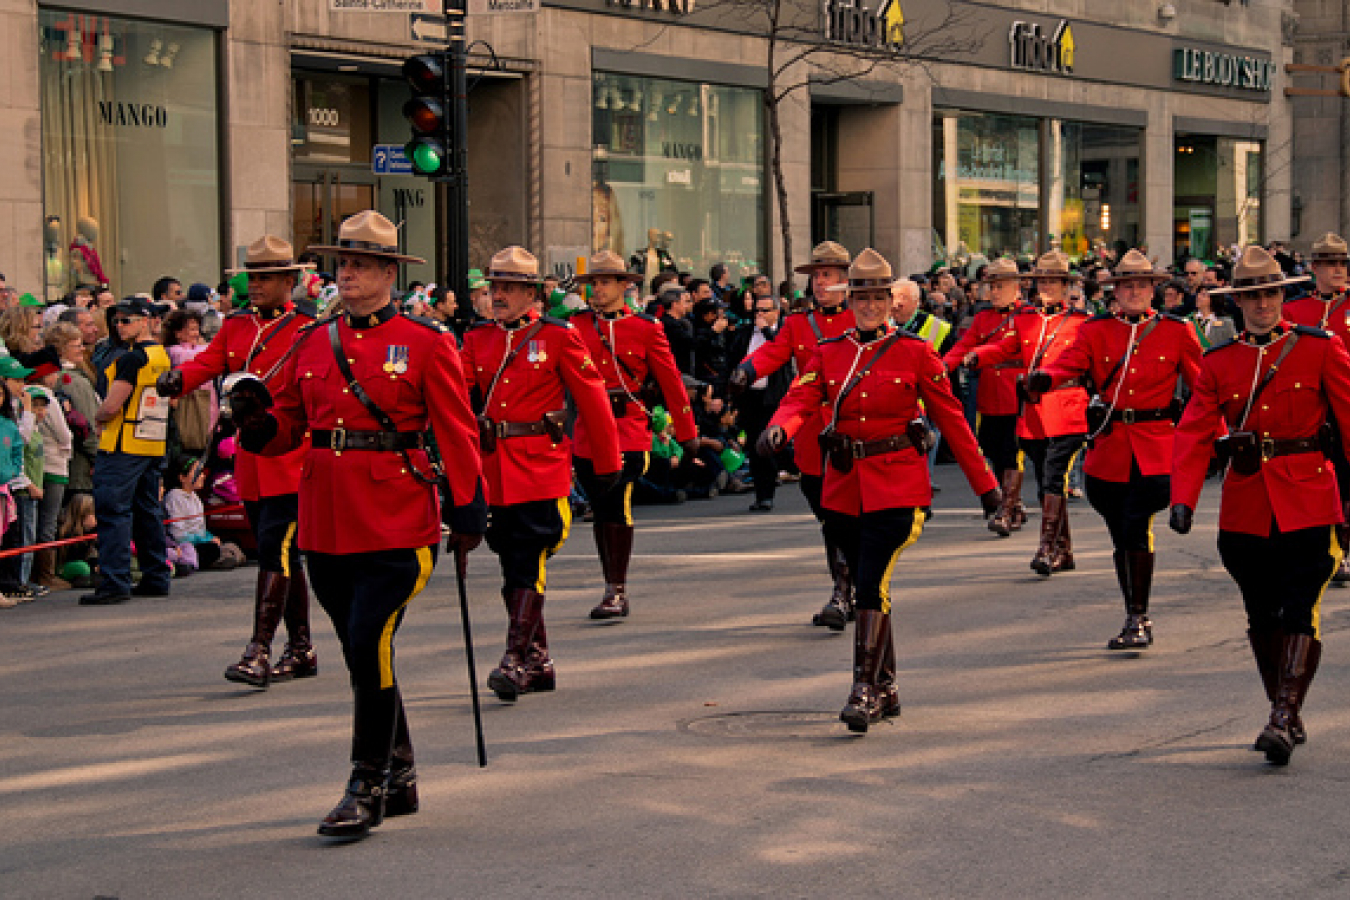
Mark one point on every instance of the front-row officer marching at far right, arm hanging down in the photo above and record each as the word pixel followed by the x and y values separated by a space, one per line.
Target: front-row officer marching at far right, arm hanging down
pixel 1263 401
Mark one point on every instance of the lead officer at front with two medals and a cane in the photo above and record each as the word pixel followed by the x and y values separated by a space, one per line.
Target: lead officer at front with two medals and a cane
pixel 367 387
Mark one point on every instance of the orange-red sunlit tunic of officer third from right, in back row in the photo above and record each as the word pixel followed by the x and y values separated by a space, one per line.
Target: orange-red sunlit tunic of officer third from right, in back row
pixel 1039 341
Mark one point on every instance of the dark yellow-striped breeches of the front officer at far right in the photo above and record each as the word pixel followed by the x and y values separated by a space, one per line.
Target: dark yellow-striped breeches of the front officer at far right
pixel 1283 577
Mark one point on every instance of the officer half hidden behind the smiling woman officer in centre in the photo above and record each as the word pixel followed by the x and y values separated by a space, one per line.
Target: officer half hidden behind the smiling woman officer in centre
pixel 796 343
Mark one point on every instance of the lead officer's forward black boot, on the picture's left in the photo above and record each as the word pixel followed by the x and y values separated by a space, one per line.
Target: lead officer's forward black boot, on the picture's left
pixel 375 724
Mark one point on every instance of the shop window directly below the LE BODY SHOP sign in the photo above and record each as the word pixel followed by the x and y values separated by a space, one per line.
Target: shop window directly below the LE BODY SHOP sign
pixel 1218 195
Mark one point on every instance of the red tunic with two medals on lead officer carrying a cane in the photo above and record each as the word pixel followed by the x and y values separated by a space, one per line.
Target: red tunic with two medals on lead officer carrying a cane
pixel 365 501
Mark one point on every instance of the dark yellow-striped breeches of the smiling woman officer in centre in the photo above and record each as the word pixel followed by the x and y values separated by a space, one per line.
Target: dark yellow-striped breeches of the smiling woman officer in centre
pixel 873 544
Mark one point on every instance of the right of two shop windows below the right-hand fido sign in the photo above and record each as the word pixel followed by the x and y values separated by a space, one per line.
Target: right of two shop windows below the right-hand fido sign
pixel 1094 198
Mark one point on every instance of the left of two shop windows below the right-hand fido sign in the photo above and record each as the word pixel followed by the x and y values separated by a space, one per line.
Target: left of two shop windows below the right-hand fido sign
pixel 986 198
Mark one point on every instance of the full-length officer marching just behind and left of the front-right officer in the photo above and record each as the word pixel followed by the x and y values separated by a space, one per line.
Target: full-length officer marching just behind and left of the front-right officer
pixel 1135 358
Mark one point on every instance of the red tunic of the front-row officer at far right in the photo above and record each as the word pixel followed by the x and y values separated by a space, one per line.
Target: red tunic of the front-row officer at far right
pixel 1298 490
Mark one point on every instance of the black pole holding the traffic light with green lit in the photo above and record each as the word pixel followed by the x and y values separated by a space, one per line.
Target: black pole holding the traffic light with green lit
pixel 454 249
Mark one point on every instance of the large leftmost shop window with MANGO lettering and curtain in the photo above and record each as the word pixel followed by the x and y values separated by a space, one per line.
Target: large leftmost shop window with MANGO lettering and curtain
pixel 130 153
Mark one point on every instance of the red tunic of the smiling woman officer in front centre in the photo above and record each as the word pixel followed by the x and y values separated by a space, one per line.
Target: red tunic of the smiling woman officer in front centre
pixel 882 404
